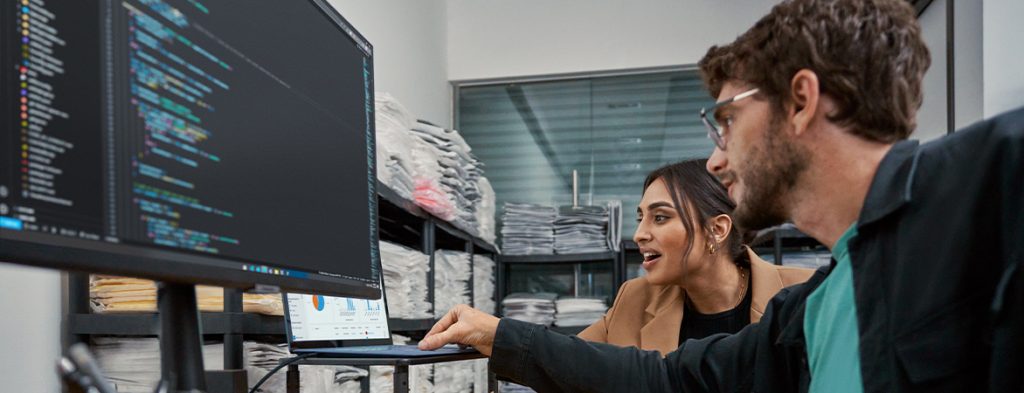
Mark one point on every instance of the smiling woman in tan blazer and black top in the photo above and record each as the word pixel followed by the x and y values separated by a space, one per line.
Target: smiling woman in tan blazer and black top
pixel 701 279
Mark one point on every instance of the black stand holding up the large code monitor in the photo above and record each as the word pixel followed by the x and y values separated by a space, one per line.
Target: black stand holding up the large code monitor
pixel 181 338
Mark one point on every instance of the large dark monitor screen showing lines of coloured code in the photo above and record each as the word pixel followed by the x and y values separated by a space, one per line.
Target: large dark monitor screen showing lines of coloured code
pixel 227 143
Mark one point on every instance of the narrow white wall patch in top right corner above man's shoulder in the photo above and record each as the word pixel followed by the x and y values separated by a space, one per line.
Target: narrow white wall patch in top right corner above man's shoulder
pixel 1004 56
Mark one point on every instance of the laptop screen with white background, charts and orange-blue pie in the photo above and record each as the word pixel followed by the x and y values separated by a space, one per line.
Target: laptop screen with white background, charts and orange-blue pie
pixel 316 318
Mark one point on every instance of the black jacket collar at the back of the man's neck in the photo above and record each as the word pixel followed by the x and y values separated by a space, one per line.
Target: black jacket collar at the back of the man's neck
pixel 891 186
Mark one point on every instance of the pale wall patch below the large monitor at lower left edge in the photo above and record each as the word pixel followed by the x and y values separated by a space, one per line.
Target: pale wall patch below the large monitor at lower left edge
pixel 30 329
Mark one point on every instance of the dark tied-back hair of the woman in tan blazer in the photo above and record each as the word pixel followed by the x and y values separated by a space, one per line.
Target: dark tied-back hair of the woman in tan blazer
pixel 695 191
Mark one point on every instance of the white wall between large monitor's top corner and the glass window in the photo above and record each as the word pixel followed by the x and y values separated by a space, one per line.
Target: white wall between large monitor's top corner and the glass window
pixel 410 54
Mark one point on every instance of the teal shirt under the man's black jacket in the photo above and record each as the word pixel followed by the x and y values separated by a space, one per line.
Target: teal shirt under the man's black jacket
pixel 831 328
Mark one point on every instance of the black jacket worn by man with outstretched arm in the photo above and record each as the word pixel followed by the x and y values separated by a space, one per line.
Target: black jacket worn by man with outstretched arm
pixel 937 280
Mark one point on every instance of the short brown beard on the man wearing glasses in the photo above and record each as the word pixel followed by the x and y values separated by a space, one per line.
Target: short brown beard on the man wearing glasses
pixel 772 170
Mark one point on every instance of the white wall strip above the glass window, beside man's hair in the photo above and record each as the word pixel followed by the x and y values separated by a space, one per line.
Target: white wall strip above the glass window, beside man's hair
pixel 492 39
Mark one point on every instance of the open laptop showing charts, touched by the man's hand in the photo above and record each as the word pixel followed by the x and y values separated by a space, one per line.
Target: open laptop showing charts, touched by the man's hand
pixel 334 327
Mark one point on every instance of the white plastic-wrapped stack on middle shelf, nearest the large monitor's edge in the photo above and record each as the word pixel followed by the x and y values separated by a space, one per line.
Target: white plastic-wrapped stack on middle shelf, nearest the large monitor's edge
pixel 406 282
